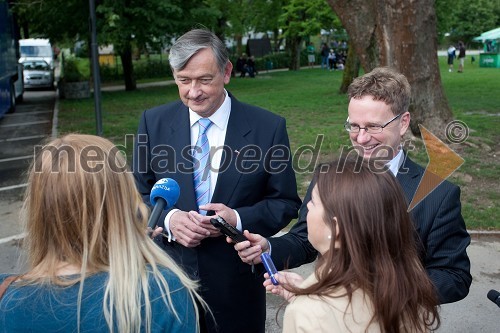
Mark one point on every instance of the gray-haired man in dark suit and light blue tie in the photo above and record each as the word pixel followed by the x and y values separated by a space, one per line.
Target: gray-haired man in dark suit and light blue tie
pixel 249 182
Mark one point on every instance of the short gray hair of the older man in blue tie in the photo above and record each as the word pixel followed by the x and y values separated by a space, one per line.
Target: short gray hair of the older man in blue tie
pixel 191 43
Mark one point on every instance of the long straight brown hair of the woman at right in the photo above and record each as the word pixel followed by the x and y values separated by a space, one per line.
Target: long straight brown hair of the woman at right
pixel 378 251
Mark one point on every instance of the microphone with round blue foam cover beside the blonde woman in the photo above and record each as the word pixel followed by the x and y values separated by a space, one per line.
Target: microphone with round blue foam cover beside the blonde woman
pixel 164 195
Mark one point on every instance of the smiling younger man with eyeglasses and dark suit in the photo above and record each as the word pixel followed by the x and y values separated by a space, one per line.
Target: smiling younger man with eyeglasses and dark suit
pixel 378 118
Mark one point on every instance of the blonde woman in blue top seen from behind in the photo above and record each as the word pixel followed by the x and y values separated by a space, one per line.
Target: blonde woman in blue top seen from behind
pixel 91 265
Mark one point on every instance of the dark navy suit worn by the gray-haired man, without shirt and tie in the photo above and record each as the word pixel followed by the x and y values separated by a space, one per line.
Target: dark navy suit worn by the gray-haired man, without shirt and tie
pixel 262 190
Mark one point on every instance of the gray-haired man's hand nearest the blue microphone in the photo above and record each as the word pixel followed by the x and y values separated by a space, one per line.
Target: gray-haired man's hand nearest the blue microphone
pixel 188 231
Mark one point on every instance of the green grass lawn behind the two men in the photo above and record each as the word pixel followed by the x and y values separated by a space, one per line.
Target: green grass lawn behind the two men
pixel 314 110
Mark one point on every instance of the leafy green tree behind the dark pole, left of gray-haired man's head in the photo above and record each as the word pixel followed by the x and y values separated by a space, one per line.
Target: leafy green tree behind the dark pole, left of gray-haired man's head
pixel 127 24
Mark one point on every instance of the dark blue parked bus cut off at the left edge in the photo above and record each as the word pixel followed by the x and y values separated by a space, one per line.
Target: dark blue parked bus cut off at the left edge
pixel 11 77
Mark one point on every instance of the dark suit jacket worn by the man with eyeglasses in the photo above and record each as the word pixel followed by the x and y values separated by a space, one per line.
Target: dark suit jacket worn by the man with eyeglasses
pixel 442 236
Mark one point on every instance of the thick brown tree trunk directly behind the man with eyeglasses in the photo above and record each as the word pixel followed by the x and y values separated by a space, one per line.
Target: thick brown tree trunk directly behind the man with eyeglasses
pixel 400 34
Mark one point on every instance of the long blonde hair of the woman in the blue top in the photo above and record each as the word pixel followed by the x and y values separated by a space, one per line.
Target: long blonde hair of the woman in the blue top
pixel 82 208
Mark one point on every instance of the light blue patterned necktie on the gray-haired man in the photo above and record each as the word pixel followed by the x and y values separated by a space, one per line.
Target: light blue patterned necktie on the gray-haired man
pixel 201 156
